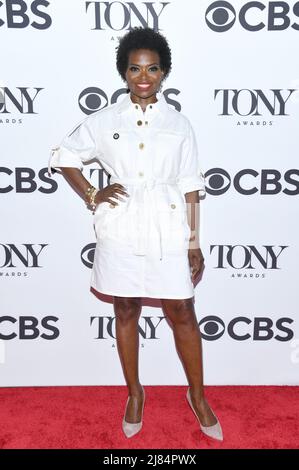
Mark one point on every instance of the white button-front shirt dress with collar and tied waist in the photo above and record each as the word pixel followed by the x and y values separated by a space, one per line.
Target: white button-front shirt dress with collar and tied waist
pixel 142 244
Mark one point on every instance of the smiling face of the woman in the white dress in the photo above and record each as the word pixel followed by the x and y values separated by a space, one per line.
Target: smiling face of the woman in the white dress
pixel 143 73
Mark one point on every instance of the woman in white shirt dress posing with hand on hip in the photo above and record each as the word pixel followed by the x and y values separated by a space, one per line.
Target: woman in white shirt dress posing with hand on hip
pixel 147 219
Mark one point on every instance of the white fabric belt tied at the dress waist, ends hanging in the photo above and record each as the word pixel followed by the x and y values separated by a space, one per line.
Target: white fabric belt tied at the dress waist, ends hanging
pixel 148 185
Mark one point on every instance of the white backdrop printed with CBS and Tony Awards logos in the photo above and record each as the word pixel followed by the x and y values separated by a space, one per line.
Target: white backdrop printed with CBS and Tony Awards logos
pixel 236 76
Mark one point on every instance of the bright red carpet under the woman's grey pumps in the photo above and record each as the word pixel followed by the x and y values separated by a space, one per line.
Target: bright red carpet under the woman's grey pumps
pixel 90 417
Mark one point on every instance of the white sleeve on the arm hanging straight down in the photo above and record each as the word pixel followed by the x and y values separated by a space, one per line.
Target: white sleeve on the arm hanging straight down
pixel 191 177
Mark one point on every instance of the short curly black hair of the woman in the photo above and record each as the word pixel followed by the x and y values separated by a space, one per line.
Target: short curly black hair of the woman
pixel 143 38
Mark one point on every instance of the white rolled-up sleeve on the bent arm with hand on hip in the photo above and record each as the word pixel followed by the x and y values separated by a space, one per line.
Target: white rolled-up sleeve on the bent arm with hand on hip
pixel 77 147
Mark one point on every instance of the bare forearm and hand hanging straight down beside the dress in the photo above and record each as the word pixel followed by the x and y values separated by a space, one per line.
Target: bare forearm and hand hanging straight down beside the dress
pixel 195 255
